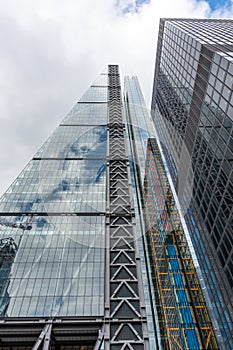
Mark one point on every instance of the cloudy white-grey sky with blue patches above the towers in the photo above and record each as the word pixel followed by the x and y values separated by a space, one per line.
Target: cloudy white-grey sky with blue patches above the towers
pixel 52 50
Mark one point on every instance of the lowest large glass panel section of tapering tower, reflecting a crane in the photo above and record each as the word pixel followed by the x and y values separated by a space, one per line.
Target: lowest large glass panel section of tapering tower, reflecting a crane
pixel 67 260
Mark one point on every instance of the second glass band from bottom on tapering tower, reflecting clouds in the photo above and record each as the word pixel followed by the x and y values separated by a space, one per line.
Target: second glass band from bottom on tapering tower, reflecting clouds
pixel 58 182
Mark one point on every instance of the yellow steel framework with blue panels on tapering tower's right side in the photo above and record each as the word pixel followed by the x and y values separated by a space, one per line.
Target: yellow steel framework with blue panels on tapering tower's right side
pixel 183 316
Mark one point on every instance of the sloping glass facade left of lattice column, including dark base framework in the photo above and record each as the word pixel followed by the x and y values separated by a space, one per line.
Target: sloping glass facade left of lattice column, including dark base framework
pixel 52 240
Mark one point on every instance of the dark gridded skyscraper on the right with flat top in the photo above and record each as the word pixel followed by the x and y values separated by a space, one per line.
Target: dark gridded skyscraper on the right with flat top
pixel 192 107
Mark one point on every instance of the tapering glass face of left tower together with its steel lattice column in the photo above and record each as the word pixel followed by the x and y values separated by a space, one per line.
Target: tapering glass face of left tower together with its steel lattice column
pixel 70 271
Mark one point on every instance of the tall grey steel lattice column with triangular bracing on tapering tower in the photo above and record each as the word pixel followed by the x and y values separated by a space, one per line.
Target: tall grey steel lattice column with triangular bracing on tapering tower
pixel 125 314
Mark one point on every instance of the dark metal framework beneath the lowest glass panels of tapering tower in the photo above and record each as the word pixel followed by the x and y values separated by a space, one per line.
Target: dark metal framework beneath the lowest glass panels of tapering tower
pixel 54 334
